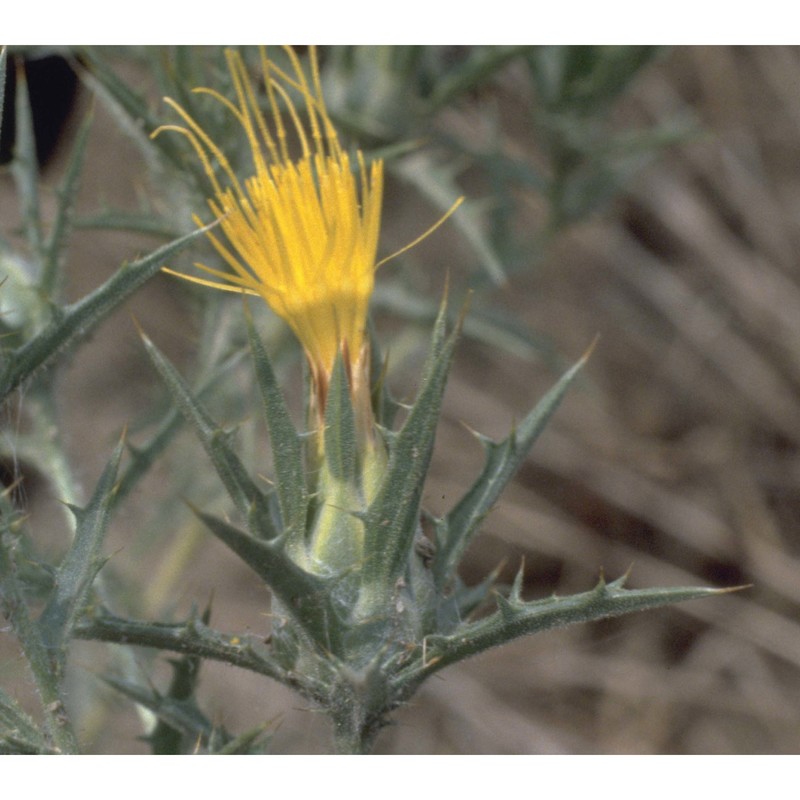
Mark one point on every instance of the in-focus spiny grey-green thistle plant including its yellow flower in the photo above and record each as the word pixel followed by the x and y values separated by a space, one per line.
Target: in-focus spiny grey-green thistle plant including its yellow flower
pixel 367 601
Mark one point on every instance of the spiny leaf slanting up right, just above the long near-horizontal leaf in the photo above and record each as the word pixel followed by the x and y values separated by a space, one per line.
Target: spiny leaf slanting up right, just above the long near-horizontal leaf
pixel 457 529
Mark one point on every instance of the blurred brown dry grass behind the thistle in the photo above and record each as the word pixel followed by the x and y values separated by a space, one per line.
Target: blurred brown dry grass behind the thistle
pixel 676 456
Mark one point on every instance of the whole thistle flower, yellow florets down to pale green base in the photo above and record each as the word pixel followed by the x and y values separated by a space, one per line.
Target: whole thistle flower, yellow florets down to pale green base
pixel 302 233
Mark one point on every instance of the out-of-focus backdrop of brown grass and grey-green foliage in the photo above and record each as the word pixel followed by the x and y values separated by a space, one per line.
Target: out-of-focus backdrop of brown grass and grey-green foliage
pixel 650 197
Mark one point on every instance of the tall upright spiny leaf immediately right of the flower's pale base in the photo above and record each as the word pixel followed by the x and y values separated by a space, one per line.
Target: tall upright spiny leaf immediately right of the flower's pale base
pixel 393 517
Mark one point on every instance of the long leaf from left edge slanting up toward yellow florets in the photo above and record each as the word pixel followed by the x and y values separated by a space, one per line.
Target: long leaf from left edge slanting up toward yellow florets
pixel 79 319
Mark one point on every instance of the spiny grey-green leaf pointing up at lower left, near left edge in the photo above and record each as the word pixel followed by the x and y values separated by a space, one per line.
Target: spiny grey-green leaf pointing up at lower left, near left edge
pixel 80 565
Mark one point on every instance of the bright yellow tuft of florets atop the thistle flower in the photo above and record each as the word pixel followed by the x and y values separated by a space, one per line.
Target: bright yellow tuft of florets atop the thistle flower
pixel 302 233
